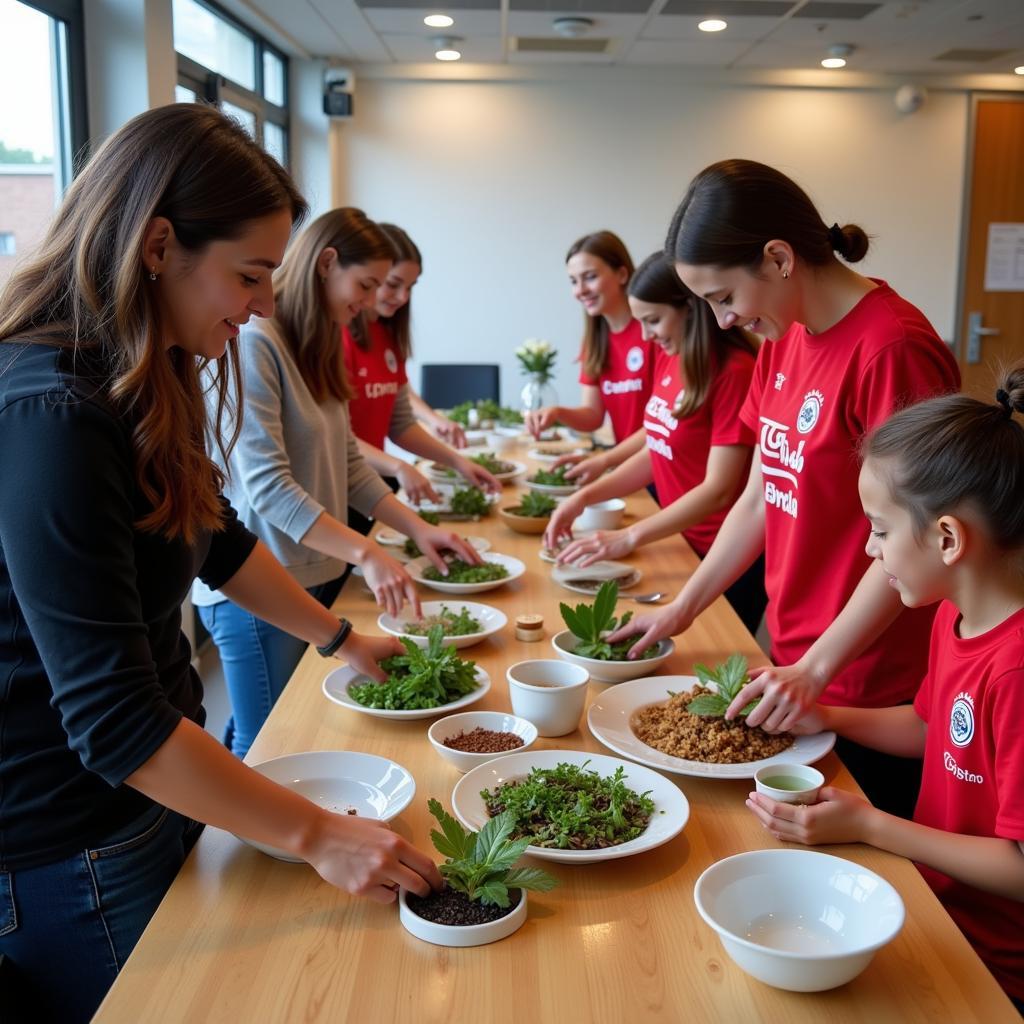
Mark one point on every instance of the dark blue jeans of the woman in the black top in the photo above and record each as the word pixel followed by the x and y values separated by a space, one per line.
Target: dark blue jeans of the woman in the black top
pixel 67 929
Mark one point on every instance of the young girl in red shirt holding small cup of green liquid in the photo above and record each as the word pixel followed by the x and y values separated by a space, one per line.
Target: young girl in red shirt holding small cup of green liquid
pixel 942 486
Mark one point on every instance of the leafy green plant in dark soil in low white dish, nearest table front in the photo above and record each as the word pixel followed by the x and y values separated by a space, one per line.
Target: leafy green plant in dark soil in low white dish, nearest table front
pixel 485 898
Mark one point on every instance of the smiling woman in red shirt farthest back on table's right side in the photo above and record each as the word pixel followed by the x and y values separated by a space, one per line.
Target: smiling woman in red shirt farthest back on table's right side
pixel 617 370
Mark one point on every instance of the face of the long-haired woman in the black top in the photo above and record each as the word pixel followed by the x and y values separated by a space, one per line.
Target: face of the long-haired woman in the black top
pixel 204 298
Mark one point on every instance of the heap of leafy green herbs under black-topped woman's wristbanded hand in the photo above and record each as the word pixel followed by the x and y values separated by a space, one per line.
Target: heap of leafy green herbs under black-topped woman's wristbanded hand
pixel 423 677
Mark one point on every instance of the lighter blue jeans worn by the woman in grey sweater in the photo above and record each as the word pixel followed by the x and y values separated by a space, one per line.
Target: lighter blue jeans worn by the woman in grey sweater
pixel 259 660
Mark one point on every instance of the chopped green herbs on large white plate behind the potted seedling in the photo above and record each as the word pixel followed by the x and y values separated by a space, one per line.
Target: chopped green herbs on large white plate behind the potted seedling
pixel 572 807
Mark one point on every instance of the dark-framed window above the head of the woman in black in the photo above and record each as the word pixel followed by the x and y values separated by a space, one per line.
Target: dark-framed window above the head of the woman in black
pixel 223 61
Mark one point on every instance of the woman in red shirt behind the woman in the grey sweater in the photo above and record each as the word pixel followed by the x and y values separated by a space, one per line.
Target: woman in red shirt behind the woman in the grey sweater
pixel 376 348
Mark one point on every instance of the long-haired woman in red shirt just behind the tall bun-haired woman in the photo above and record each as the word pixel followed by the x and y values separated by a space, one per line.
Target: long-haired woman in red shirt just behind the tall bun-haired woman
pixel 698 450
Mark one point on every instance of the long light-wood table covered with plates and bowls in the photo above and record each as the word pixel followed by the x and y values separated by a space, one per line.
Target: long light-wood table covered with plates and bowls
pixel 243 937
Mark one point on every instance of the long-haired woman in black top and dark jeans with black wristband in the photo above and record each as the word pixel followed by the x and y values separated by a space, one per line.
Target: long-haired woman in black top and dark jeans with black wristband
pixel 109 509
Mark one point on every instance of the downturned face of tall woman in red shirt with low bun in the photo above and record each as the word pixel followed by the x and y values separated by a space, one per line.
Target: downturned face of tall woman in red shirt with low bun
pixel 765 304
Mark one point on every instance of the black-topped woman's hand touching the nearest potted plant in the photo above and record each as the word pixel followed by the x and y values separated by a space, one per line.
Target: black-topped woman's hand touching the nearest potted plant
pixel 366 859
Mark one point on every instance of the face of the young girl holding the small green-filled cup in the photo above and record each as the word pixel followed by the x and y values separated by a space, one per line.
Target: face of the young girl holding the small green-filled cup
pixel 914 564
